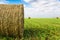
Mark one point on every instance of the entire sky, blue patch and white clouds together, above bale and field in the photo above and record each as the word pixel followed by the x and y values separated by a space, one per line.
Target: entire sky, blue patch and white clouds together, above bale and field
pixel 38 8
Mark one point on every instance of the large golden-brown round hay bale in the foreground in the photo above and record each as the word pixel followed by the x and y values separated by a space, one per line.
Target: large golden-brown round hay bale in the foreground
pixel 11 20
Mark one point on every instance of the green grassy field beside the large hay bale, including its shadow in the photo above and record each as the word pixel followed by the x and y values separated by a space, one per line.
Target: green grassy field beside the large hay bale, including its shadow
pixel 42 29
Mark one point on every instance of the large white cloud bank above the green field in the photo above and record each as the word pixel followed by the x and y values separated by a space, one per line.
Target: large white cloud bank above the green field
pixel 43 8
